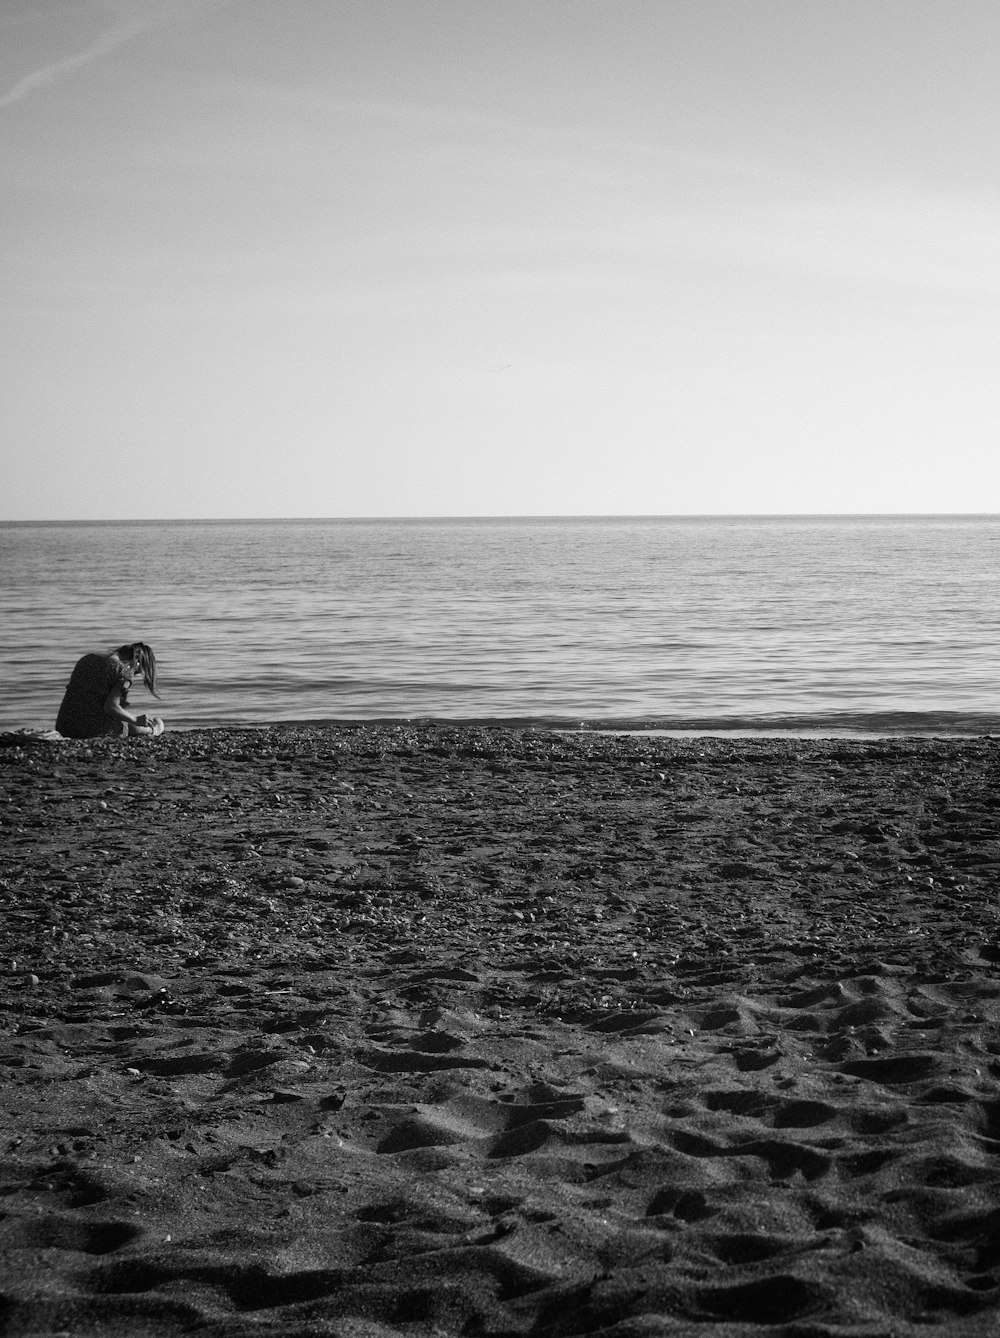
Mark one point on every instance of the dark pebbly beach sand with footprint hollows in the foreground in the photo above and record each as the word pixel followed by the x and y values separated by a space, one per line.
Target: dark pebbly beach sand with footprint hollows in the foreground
pixel 385 1031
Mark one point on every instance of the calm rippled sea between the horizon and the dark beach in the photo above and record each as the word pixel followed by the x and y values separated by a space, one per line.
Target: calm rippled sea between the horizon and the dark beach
pixel 809 623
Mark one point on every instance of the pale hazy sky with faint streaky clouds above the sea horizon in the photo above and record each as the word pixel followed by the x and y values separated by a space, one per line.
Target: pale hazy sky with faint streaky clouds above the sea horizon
pixel 477 258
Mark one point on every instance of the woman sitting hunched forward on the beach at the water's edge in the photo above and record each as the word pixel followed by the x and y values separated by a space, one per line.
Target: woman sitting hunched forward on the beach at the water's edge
pixel 97 698
